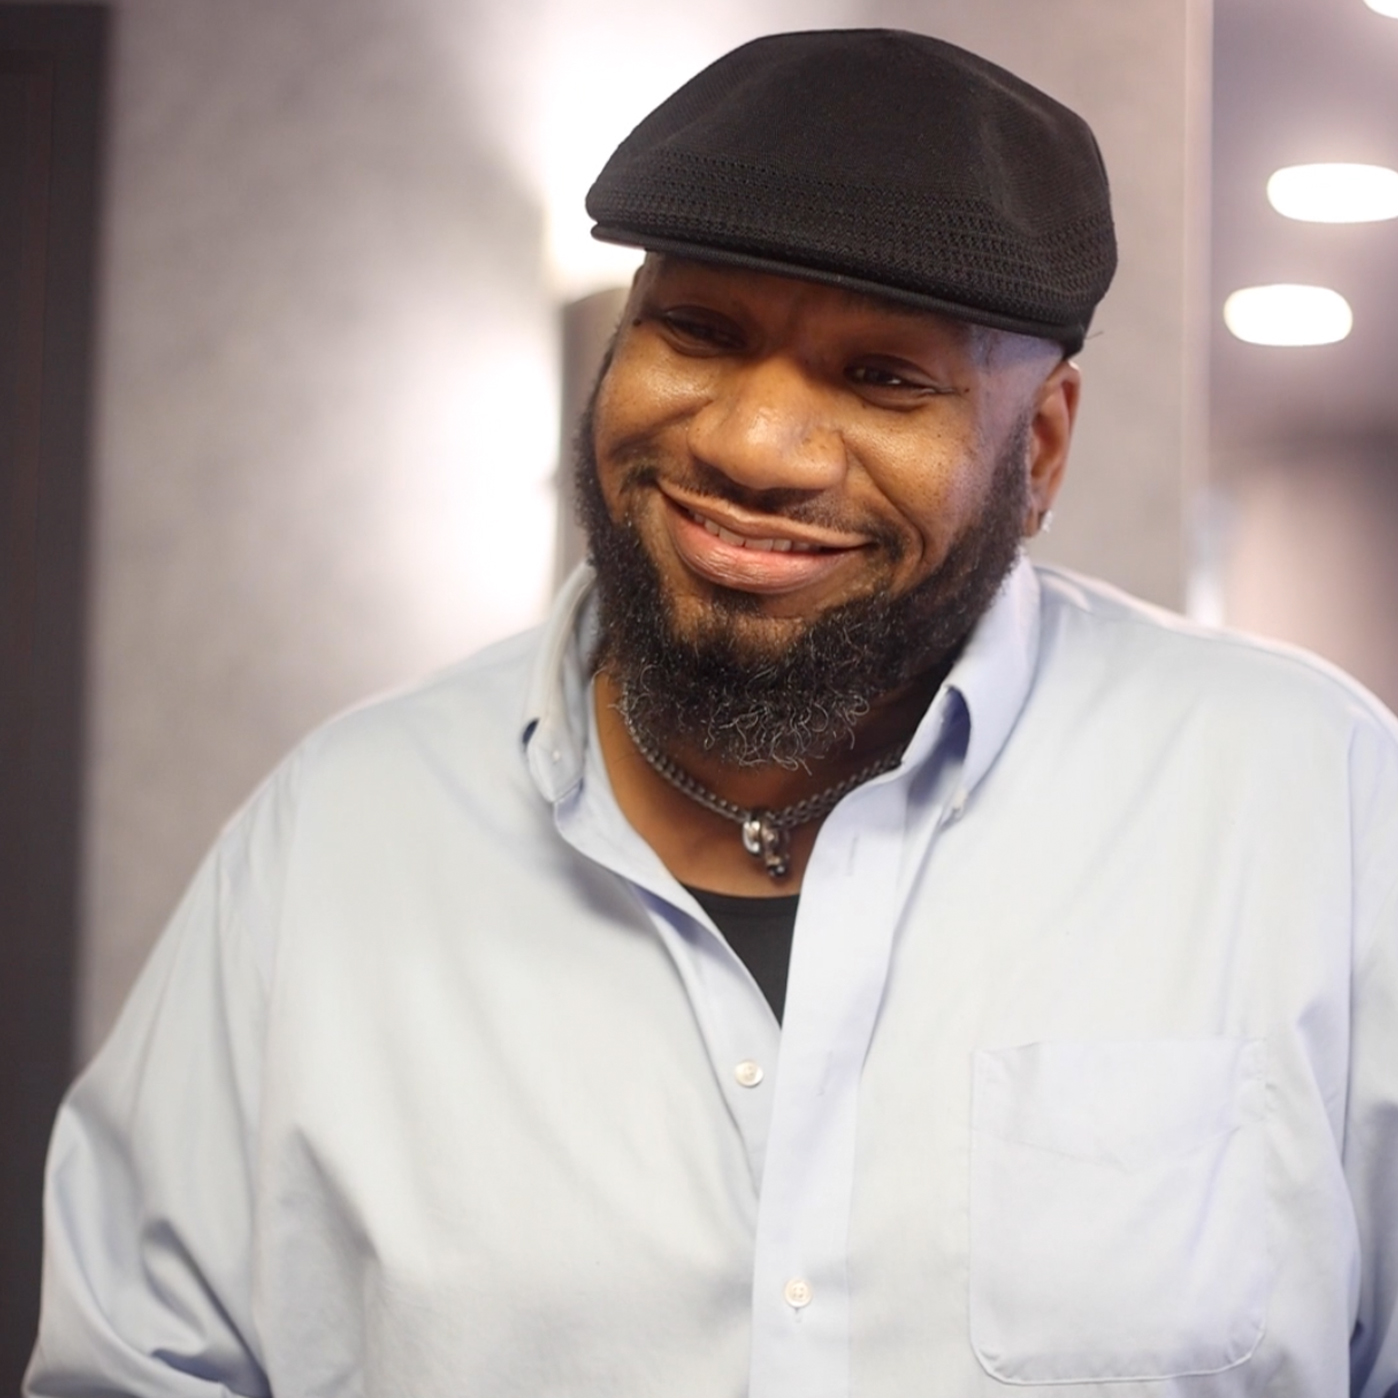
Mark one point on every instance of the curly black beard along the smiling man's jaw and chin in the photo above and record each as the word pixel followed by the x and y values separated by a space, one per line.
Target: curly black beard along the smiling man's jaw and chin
pixel 751 704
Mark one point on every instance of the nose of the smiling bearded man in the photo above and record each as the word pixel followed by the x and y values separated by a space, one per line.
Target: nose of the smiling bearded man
pixel 768 427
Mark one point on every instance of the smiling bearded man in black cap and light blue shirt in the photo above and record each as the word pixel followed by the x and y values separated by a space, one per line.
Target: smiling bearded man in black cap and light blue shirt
pixel 833 957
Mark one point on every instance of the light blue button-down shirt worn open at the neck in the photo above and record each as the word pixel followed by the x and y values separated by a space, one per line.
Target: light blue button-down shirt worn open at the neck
pixel 441 1084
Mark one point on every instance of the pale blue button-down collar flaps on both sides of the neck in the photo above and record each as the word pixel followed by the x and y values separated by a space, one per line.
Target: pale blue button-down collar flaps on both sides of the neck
pixel 992 677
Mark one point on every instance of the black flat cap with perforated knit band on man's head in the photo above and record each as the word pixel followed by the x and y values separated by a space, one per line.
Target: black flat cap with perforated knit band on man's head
pixel 876 160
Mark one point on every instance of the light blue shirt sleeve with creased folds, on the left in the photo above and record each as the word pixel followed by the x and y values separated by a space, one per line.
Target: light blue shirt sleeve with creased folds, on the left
pixel 149 1199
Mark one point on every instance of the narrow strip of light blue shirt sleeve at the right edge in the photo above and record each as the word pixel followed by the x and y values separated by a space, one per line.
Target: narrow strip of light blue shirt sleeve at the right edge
pixel 1372 1115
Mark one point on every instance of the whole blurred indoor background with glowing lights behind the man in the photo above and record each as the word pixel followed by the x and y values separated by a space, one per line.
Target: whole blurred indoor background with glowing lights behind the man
pixel 297 298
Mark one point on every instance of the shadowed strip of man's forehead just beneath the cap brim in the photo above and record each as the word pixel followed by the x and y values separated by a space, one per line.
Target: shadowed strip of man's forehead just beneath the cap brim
pixel 740 290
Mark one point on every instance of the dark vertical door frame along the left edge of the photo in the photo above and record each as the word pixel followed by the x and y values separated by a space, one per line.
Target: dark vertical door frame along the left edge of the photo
pixel 52 62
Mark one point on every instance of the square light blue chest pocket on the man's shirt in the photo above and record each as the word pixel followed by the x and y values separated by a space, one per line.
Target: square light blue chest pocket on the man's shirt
pixel 1119 1224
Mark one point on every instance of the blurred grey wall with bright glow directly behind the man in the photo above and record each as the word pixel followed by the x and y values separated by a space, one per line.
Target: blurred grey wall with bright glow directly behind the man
pixel 329 367
